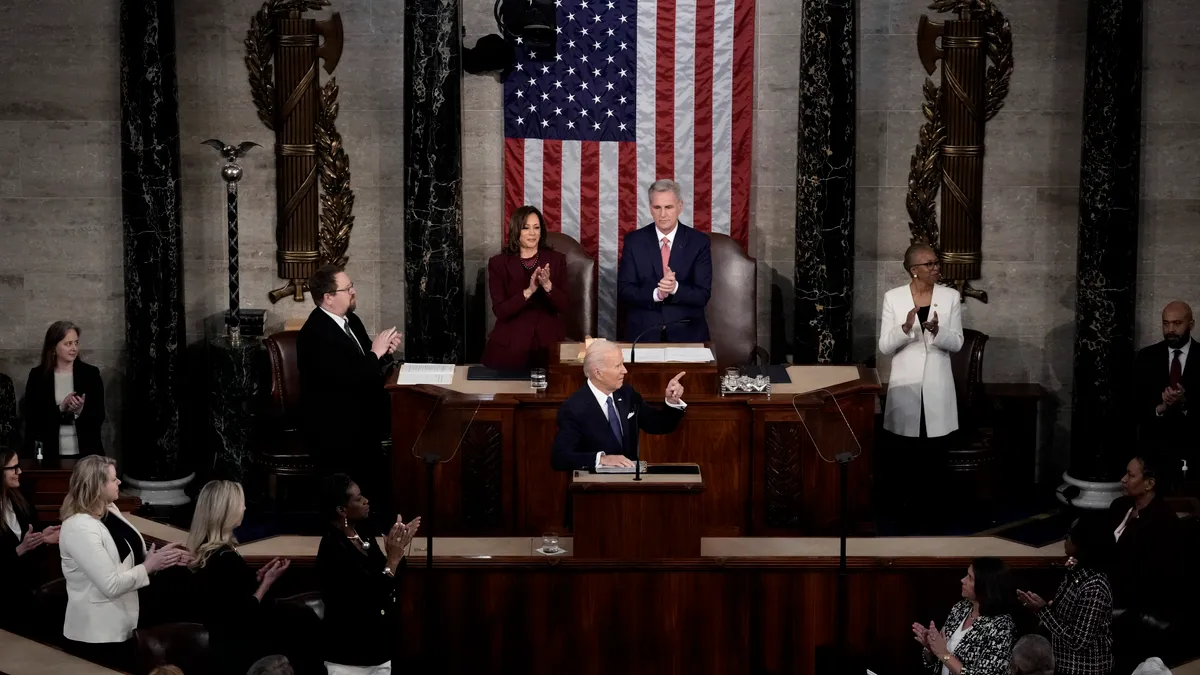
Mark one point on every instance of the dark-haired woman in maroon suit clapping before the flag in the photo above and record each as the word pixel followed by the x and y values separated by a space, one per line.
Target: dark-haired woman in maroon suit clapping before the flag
pixel 530 296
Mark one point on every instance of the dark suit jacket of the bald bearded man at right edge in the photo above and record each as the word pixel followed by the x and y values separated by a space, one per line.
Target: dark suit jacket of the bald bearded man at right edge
pixel 1175 432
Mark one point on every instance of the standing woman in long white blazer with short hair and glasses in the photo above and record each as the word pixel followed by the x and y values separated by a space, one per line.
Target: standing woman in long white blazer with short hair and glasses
pixel 922 326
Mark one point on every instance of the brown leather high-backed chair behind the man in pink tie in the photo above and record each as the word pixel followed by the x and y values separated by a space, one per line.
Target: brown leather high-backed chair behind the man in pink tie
pixel 733 310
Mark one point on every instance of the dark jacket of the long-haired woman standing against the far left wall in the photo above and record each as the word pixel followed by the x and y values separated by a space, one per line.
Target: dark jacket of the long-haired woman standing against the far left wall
pixel 44 417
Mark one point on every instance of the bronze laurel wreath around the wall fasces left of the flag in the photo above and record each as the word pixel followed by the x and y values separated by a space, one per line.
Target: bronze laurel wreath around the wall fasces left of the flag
pixel 337 198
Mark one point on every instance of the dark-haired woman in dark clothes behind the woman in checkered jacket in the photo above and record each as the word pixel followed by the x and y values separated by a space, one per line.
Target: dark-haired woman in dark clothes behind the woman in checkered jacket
pixel 1147 572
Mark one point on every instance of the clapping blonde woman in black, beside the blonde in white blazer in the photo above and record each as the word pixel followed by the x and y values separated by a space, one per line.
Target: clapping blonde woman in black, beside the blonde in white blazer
pixel 230 593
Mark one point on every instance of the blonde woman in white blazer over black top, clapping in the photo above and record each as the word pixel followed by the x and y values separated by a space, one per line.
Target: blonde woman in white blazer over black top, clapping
pixel 105 563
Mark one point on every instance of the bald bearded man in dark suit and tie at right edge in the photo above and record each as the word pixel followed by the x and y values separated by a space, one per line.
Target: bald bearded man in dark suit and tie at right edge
pixel 1165 381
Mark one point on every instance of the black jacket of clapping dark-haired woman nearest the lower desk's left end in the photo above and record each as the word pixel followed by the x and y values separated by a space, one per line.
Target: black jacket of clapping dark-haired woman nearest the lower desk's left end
pixel 361 600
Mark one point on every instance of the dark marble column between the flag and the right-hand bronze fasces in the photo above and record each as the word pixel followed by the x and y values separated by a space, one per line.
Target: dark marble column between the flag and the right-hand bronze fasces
pixel 825 184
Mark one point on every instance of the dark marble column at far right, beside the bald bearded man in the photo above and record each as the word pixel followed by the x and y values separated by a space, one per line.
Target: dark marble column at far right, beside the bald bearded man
pixel 1102 429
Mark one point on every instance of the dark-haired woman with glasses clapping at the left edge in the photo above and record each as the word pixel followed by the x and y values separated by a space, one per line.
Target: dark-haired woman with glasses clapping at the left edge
pixel 20 539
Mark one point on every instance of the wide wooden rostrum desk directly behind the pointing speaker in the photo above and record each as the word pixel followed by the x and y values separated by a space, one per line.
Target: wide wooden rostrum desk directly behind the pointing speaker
pixel 764 474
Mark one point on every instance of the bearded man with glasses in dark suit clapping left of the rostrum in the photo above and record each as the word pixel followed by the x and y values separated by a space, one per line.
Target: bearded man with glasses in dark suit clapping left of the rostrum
pixel 341 379
